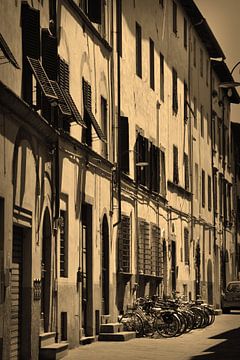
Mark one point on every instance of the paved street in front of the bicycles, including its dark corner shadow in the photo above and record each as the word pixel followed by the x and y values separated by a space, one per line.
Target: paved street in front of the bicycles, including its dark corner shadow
pixel 220 341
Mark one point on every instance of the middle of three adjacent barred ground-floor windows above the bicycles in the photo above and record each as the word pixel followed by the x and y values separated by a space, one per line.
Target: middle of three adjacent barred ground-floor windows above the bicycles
pixel 144 250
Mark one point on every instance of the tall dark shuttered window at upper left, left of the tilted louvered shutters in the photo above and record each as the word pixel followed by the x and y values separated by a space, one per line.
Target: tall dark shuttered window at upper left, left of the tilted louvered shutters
pixel 30 22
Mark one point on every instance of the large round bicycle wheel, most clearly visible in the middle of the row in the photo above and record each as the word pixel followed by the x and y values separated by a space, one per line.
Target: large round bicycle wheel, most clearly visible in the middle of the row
pixel 167 324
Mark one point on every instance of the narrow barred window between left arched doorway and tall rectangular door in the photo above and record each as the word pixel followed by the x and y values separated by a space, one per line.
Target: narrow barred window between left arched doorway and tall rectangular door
pixel 63 244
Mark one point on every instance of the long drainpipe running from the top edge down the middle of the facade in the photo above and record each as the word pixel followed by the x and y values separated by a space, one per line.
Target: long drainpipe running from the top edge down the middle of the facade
pixel 119 51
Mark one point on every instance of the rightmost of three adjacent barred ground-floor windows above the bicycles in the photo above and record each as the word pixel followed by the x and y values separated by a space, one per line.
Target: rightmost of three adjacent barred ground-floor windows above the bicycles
pixel 156 252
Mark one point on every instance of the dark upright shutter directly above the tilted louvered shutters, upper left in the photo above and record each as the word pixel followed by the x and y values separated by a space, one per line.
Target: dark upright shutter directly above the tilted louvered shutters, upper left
pixel 49 54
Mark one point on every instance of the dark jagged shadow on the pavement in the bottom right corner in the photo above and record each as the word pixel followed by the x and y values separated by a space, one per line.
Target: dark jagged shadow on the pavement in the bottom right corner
pixel 229 348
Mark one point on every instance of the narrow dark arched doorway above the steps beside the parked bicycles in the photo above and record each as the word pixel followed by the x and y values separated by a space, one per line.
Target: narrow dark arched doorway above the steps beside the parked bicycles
pixel 105 266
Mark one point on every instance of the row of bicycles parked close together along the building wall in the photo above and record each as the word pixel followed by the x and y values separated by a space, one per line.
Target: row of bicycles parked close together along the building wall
pixel 171 317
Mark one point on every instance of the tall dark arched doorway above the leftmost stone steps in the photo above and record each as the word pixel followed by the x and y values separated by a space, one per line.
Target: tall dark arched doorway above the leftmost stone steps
pixel 46 272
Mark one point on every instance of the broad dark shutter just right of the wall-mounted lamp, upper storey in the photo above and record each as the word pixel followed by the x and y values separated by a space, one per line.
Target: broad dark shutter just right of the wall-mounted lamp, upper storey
pixel 154 180
